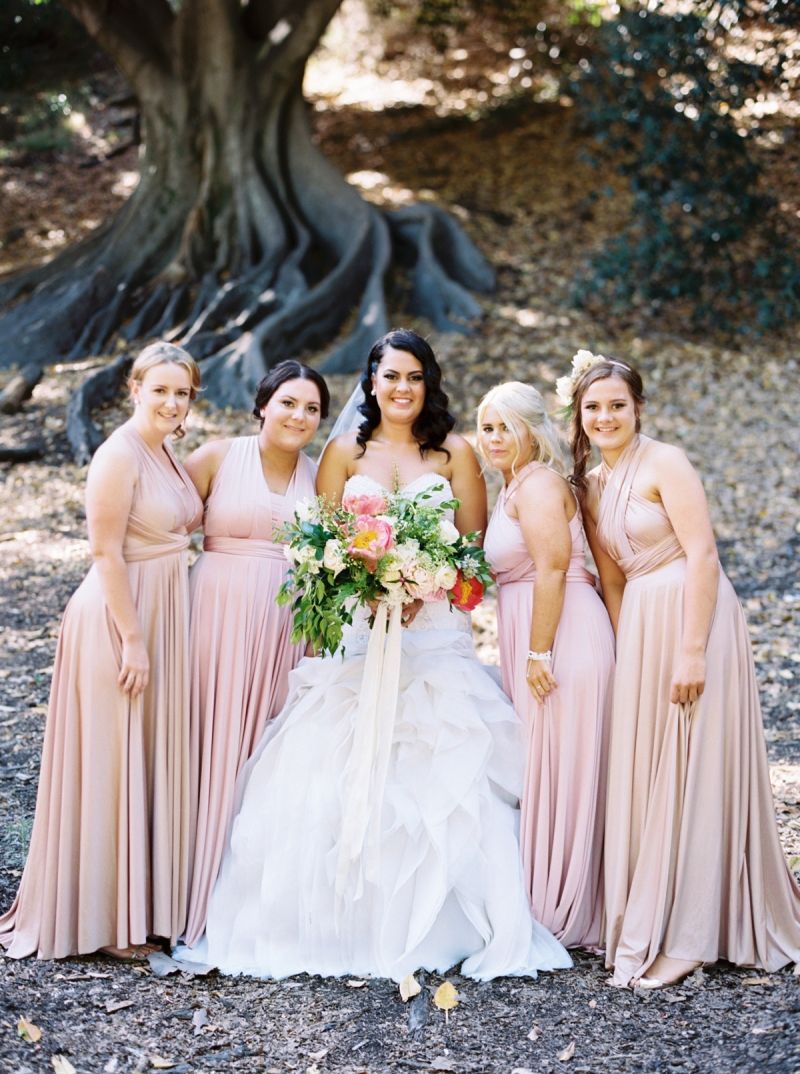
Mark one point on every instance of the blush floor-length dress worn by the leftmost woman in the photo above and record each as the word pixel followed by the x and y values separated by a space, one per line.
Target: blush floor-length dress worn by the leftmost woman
pixel 109 854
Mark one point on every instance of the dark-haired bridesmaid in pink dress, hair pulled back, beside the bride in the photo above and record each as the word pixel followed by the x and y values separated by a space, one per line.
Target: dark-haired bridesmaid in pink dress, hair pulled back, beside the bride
pixel 240 644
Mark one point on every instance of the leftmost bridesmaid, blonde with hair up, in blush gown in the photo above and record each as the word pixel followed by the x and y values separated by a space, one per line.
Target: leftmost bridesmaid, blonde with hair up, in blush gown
pixel 109 855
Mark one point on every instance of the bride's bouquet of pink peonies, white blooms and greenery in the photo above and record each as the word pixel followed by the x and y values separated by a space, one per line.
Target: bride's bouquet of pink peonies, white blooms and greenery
pixel 395 548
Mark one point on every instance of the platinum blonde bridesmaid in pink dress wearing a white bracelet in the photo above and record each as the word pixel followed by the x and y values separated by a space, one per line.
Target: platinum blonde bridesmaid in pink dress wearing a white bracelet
pixel 558 660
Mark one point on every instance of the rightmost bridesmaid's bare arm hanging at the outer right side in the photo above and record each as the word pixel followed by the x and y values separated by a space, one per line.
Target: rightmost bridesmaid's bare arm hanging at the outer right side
pixel 685 501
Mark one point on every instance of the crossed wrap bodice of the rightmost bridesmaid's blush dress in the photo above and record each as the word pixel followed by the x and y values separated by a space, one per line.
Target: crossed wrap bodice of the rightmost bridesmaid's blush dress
pixel 635 532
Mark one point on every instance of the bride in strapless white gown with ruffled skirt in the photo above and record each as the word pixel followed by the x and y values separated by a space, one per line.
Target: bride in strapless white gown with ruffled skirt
pixel 388 847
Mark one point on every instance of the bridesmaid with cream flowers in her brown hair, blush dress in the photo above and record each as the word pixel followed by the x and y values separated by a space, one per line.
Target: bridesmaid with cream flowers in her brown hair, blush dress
pixel 694 866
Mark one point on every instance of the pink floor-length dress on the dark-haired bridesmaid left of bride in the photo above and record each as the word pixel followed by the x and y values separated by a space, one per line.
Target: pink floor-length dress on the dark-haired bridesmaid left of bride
pixel 240 646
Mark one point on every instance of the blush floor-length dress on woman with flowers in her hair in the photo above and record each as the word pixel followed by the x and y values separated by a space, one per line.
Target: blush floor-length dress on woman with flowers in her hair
pixel 694 866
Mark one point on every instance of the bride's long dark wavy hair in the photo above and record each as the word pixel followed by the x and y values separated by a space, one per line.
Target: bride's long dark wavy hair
pixel 435 422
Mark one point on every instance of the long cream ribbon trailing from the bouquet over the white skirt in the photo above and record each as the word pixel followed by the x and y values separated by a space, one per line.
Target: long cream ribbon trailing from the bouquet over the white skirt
pixel 366 772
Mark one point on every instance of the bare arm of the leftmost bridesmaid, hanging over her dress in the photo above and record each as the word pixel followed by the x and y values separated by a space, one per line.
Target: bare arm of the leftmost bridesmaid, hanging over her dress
pixel 110 489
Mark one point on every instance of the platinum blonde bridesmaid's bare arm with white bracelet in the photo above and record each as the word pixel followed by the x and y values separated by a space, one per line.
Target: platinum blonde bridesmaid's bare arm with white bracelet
pixel 541 510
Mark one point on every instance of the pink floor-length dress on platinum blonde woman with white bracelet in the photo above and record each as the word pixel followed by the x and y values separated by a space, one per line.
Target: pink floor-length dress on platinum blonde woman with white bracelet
pixel 563 800
